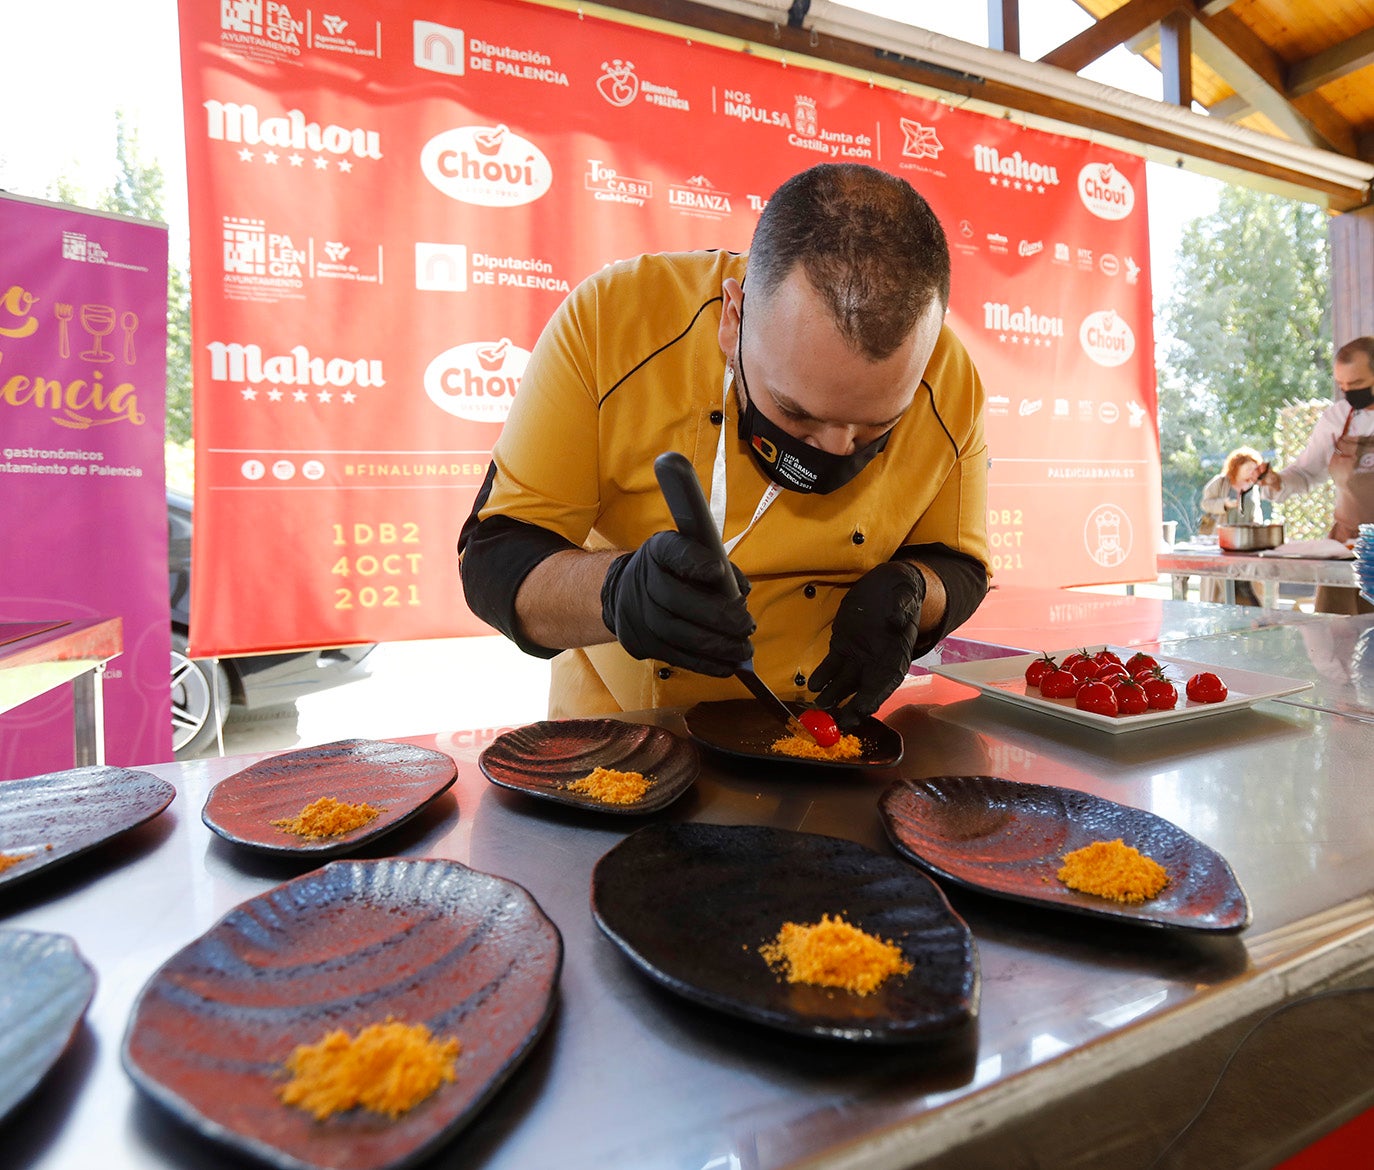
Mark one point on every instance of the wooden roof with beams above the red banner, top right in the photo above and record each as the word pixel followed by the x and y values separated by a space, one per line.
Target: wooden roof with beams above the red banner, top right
pixel 1296 72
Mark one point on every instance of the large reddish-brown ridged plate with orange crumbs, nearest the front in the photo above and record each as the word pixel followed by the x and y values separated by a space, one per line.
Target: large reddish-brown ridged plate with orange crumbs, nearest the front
pixel 425 941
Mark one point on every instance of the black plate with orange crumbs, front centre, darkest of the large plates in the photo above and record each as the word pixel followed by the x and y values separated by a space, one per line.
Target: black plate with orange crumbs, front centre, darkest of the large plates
pixel 692 904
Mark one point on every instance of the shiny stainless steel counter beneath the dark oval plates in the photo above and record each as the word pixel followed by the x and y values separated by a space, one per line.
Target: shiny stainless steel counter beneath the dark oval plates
pixel 1074 1014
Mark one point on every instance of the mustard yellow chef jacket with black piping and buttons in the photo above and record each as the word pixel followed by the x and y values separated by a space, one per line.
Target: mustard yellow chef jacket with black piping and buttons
pixel 631 367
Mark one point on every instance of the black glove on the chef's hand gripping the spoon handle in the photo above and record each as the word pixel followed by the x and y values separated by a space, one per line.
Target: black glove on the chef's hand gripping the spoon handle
pixel 668 601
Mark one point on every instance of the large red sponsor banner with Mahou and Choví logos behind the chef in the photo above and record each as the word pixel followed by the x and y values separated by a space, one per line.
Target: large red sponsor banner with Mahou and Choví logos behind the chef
pixel 388 208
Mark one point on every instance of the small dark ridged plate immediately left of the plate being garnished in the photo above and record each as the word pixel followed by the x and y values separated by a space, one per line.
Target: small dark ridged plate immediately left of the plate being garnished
pixel 542 760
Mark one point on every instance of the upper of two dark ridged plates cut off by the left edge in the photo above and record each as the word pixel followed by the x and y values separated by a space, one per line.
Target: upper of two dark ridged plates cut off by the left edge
pixel 50 819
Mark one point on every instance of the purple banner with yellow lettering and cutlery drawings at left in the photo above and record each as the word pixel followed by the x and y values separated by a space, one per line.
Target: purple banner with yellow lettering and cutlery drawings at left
pixel 83 499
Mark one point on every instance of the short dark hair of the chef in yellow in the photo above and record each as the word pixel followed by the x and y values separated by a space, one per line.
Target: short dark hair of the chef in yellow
pixel 869 244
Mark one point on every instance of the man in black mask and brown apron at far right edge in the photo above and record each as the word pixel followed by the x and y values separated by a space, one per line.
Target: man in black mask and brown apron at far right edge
pixel 1342 450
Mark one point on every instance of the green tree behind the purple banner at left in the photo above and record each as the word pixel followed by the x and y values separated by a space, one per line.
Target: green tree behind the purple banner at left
pixel 138 192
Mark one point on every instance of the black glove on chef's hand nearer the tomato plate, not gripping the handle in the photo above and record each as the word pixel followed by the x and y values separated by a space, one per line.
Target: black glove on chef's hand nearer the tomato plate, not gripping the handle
pixel 872 642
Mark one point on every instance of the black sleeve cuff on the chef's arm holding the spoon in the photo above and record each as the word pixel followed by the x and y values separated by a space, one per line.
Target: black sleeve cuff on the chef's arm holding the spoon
pixel 495 558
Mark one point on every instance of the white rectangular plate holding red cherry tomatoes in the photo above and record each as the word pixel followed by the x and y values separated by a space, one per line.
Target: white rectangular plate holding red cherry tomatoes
pixel 1005 679
